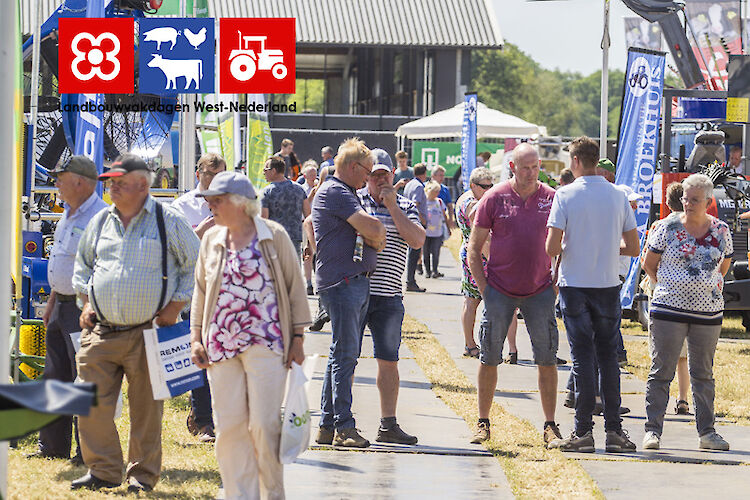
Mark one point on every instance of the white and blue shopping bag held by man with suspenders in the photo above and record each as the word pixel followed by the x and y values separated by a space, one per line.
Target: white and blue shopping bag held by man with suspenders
pixel 168 356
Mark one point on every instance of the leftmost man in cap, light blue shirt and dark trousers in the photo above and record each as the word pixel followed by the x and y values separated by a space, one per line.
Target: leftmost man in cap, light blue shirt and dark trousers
pixel 76 181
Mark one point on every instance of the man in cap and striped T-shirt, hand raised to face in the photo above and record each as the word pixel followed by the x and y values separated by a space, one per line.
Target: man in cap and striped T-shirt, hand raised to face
pixel 385 310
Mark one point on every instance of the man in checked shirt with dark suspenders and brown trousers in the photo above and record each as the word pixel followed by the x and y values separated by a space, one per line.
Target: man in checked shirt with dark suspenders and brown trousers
pixel 118 278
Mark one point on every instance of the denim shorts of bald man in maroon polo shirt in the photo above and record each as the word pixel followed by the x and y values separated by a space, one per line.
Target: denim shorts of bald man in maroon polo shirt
pixel 538 313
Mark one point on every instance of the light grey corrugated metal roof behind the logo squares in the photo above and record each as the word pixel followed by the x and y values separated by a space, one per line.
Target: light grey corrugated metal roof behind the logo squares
pixel 422 23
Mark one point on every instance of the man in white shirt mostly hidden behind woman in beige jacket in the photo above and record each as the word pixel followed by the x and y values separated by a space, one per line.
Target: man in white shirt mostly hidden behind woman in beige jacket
pixel 195 209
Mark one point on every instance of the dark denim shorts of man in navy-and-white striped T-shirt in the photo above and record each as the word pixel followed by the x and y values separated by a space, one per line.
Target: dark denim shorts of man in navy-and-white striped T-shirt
pixel 384 318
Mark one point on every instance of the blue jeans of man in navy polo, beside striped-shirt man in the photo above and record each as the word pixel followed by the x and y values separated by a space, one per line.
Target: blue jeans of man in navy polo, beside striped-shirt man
pixel 346 304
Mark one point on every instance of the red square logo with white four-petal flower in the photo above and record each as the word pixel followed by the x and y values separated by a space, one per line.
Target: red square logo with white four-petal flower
pixel 96 55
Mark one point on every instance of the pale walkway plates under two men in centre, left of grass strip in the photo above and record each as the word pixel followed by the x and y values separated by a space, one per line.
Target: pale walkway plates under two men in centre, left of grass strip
pixel 442 465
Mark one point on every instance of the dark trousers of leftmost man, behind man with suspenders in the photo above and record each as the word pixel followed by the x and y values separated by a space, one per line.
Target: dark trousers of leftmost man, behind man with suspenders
pixel 59 364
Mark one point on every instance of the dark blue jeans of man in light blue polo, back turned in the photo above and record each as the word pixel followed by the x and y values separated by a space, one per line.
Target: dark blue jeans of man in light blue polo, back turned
pixel 592 320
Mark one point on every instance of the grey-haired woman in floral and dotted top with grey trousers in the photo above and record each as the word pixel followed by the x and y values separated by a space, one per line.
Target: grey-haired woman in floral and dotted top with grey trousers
pixel 687 257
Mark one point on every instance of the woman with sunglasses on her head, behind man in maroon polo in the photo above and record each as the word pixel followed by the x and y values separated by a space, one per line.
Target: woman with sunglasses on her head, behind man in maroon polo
pixel 480 182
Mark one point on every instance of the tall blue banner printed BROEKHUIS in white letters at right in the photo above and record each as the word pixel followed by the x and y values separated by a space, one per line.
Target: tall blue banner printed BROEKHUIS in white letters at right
pixel 638 143
